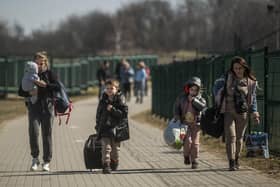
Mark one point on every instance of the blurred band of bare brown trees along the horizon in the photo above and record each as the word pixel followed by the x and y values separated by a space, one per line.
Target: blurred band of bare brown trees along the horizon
pixel 205 25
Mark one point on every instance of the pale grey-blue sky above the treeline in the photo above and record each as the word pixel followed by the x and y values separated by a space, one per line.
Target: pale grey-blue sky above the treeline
pixel 34 14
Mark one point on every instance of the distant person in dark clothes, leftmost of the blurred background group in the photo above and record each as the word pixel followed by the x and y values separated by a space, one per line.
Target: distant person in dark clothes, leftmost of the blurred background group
pixel 103 74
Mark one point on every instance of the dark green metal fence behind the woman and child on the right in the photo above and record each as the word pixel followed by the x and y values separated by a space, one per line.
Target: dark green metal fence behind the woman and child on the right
pixel 168 81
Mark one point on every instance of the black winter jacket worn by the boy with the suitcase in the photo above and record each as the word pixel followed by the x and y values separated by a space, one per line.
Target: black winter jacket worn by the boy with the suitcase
pixel 106 121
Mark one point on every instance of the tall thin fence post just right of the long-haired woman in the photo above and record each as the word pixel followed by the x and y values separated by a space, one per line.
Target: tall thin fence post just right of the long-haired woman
pixel 266 65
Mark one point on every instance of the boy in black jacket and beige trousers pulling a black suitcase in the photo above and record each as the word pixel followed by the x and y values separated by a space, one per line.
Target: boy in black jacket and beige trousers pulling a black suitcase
pixel 111 112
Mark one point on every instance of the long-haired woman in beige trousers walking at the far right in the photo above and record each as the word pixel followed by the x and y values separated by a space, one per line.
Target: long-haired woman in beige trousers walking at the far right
pixel 239 89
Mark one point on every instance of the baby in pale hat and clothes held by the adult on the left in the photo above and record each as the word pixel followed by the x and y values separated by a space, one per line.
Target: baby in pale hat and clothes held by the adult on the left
pixel 30 78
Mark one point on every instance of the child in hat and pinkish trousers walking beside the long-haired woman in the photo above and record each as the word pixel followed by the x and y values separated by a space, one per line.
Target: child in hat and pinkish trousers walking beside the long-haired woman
pixel 187 111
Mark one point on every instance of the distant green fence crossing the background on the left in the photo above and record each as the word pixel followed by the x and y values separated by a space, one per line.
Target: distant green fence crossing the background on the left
pixel 76 73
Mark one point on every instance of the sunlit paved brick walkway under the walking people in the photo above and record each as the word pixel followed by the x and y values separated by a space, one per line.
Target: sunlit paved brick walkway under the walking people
pixel 145 159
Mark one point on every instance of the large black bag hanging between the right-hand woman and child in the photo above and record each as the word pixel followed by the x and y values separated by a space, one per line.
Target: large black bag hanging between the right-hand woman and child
pixel 212 122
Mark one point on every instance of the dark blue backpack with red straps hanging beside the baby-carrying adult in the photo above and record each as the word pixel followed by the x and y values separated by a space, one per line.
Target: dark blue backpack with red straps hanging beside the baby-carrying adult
pixel 62 104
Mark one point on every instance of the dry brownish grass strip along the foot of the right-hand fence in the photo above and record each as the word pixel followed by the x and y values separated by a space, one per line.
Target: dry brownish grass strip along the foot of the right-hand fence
pixel 270 167
